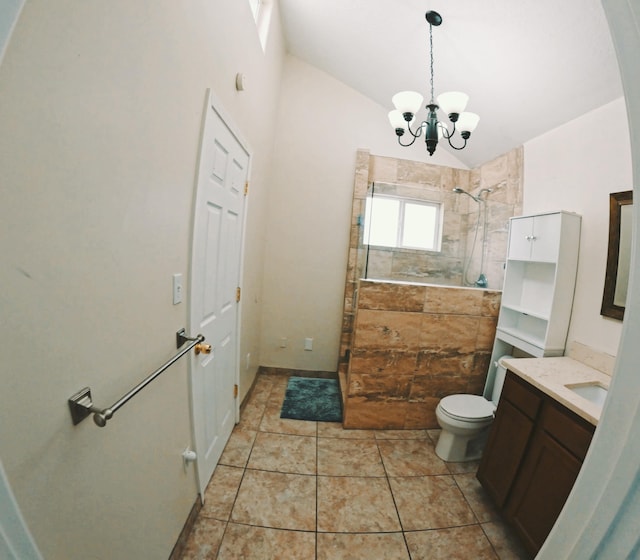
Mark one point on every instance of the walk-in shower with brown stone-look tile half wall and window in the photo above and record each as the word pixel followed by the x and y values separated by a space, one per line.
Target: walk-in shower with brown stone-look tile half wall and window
pixel 413 329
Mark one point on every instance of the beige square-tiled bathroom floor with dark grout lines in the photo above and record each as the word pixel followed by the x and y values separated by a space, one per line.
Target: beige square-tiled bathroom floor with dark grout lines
pixel 290 489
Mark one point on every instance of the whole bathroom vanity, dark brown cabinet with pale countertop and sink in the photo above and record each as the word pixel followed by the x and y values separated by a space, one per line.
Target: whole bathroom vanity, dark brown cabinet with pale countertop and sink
pixel 544 423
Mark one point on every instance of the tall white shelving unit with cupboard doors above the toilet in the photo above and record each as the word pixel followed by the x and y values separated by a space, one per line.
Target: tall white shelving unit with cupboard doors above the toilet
pixel 539 282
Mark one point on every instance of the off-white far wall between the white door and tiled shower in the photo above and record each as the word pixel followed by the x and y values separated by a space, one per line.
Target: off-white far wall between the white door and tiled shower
pixel 321 124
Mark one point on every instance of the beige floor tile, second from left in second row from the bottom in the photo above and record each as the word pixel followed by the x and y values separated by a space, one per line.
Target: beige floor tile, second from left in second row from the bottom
pixel 281 501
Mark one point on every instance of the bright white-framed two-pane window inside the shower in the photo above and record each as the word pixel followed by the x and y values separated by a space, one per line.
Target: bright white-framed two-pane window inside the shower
pixel 398 222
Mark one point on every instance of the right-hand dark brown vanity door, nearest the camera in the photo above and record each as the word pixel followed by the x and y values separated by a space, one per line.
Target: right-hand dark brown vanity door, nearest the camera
pixel 541 489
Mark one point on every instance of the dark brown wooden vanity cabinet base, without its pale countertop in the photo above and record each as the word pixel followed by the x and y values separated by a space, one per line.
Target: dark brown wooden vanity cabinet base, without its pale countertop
pixel 531 498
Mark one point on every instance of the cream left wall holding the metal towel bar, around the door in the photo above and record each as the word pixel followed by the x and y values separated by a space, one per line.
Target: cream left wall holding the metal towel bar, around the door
pixel 100 115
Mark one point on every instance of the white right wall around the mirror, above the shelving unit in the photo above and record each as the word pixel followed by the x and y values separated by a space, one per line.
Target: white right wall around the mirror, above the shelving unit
pixel 574 168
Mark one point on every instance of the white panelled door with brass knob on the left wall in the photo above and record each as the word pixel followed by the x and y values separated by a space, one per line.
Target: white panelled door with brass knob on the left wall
pixel 215 280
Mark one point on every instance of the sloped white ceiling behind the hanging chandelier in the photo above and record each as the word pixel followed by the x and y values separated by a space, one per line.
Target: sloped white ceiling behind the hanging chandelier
pixel 528 66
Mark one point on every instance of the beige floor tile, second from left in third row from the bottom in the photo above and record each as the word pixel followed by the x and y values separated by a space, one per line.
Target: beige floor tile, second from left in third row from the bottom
pixel 283 453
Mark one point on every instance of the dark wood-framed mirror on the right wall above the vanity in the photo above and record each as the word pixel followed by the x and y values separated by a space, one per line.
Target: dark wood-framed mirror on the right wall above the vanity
pixel 619 255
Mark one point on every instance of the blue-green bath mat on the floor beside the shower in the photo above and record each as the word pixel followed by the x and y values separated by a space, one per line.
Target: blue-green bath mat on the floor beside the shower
pixel 312 398
